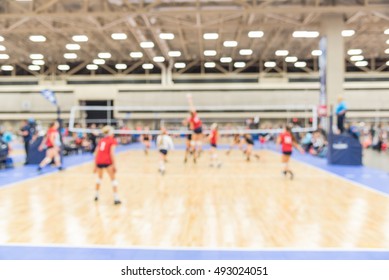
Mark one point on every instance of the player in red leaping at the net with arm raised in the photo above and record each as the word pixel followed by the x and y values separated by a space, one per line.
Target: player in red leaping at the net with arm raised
pixel 196 126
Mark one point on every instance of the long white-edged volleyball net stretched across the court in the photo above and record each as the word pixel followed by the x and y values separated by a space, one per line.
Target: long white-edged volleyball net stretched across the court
pixel 231 118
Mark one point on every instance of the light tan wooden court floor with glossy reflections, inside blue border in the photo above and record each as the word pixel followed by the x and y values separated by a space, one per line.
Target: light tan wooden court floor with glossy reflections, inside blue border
pixel 241 205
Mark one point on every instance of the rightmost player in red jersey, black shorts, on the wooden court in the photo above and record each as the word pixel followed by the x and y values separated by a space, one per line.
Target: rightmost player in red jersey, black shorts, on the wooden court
pixel 288 141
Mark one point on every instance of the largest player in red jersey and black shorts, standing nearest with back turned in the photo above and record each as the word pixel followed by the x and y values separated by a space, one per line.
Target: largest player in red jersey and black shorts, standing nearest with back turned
pixel 105 160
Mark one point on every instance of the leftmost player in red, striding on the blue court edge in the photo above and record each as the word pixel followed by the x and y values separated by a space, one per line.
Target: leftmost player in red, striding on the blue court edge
pixel 53 146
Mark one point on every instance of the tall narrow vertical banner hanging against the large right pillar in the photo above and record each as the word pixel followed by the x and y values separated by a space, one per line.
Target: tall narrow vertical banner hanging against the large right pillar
pixel 323 78
